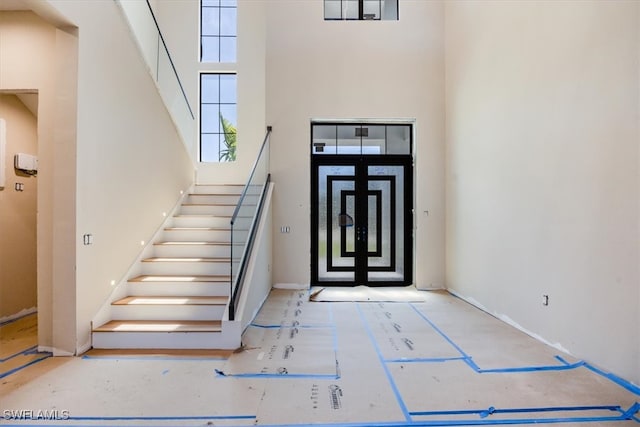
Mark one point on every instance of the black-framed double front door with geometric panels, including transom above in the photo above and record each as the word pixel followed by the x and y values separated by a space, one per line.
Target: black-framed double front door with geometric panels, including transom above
pixel 361 204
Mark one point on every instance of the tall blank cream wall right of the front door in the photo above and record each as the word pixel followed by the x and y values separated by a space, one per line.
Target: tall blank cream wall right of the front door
pixel 543 170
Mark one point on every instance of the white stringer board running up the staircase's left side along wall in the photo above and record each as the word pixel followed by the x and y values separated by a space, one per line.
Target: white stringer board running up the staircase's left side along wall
pixel 120 289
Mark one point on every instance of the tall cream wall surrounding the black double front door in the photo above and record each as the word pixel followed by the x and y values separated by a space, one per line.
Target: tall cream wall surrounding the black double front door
pixel 320 69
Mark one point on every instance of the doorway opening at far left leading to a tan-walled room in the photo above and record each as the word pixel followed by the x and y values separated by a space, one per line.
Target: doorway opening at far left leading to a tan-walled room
pixel 18 224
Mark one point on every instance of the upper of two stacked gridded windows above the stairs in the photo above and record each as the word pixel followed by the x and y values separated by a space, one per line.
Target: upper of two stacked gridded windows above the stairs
pixel 218 30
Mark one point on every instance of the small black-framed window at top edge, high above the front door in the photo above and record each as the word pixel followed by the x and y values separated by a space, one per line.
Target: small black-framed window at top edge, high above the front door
pixel 361 10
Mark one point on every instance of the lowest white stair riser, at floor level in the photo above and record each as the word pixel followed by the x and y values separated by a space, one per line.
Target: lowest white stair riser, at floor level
pixel 164 340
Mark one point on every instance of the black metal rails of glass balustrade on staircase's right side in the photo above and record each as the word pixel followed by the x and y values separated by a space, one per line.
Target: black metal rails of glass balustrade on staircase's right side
pixel 236 285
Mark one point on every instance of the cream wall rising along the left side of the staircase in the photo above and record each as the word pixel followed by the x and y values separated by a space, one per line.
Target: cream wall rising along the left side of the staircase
pixel 131 164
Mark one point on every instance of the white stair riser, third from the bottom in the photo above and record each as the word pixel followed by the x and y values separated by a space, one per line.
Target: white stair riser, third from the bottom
pixel 187 289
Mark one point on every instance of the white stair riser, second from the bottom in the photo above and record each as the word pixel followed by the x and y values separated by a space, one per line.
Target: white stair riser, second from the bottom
pixel 165 312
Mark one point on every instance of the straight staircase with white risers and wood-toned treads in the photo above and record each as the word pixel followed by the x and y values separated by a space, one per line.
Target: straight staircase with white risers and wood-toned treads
pixel 179 299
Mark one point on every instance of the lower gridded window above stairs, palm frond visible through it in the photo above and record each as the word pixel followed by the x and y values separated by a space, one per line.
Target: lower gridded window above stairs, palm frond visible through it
pixel 218 117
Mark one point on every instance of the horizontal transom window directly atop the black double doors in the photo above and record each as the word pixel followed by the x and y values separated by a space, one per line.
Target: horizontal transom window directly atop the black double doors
pixel 360 139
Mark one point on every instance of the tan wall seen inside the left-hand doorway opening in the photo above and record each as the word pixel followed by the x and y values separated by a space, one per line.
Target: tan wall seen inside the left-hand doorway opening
pixel 18 278
